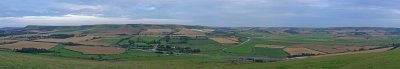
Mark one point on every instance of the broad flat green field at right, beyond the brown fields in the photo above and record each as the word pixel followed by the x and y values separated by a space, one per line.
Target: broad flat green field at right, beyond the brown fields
pixel 325 39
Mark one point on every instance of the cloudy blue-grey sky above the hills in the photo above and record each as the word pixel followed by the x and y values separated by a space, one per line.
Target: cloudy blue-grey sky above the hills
pixel 222 13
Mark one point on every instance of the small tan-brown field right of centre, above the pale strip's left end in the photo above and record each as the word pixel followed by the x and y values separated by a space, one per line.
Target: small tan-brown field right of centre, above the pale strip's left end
pixel 300 51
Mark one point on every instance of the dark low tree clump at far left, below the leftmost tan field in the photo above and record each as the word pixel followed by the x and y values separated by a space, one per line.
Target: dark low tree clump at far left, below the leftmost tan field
pixel 33 50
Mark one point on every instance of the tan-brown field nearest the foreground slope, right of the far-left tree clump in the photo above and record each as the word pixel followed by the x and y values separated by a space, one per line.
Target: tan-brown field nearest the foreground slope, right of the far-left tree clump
pixel 96 50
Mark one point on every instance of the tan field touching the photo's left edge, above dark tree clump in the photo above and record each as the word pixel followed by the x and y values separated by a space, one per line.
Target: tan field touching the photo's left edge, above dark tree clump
pixel 26 44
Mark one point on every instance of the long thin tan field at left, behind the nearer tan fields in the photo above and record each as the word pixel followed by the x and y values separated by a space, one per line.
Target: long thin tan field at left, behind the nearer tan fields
pixel 73 39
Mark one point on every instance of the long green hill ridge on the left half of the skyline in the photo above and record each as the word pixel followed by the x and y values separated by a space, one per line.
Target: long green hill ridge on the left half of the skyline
pixel 63 29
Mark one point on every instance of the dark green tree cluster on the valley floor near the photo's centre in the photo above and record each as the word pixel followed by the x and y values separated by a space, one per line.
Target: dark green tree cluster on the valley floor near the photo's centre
pixel 172 49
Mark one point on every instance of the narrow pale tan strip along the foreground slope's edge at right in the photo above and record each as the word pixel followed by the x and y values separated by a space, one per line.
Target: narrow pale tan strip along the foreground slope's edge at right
pixel 358 52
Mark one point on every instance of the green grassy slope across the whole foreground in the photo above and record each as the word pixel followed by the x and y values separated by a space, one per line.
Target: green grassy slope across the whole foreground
pixel 385 60
